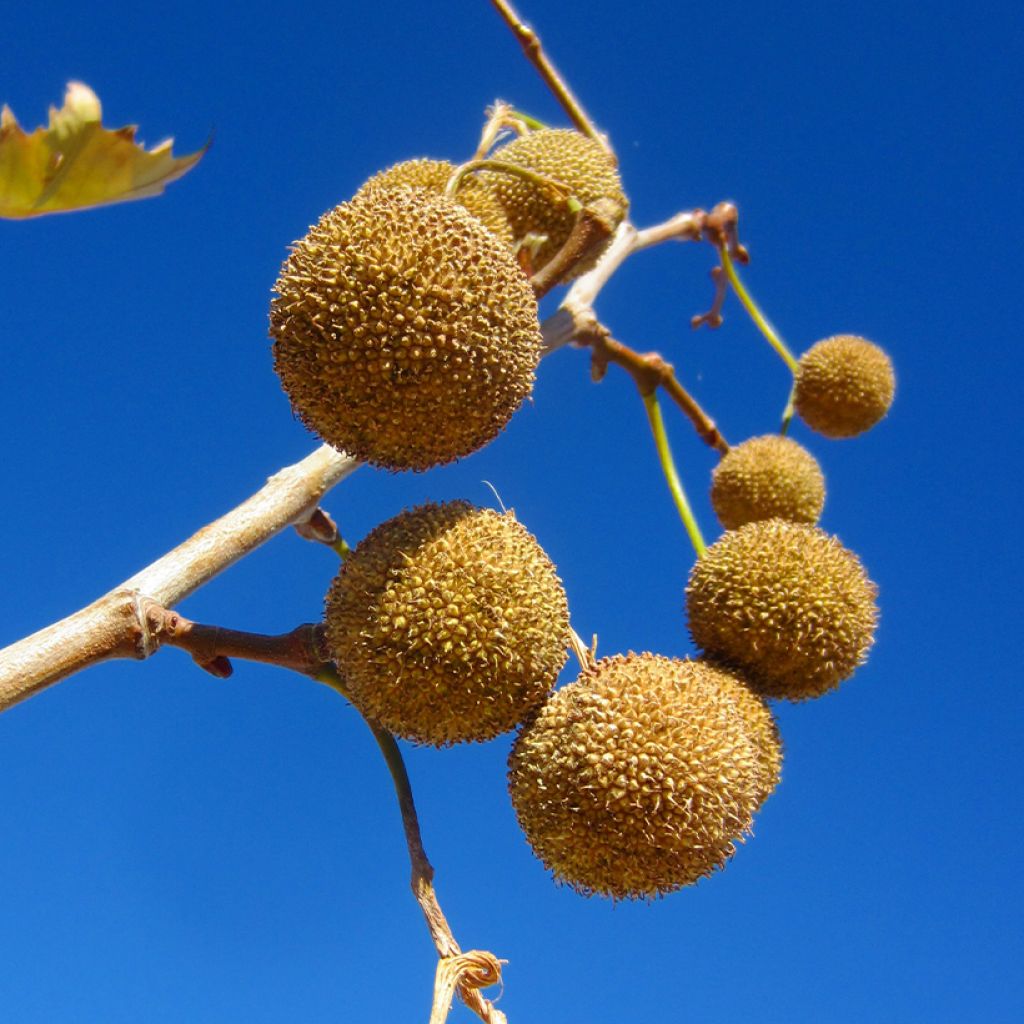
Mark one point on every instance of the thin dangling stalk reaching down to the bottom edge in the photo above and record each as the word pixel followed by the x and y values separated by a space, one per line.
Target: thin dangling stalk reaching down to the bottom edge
pixel 422 871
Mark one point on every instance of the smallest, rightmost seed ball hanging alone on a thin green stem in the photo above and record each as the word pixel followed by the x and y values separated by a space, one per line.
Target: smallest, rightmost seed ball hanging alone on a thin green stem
pixel 844 387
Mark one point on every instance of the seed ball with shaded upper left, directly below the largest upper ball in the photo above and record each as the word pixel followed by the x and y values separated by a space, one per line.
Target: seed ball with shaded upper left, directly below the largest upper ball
pixel 448 624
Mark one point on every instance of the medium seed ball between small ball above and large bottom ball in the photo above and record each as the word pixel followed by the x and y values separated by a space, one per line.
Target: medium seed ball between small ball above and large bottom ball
pixel 786 605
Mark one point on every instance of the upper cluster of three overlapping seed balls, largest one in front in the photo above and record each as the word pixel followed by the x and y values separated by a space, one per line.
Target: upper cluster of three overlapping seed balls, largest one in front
pixel 406 330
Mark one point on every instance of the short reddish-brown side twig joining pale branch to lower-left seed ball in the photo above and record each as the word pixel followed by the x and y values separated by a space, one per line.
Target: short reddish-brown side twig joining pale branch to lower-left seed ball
pixel 214 647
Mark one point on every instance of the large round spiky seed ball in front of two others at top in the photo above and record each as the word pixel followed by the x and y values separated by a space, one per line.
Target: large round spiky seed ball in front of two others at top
pixel 405 333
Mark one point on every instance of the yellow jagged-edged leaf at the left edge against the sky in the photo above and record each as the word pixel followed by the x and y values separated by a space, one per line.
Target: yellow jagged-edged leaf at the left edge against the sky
pixel 77 163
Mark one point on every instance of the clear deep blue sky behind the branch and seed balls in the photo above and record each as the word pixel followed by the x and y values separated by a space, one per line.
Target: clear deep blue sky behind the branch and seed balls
pixel 180 849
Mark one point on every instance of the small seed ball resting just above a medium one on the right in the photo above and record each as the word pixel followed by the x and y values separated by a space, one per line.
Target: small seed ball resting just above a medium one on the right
pixel 767 478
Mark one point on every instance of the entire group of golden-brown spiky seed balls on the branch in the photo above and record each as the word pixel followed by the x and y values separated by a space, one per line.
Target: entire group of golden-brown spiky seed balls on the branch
pixel 406 333
